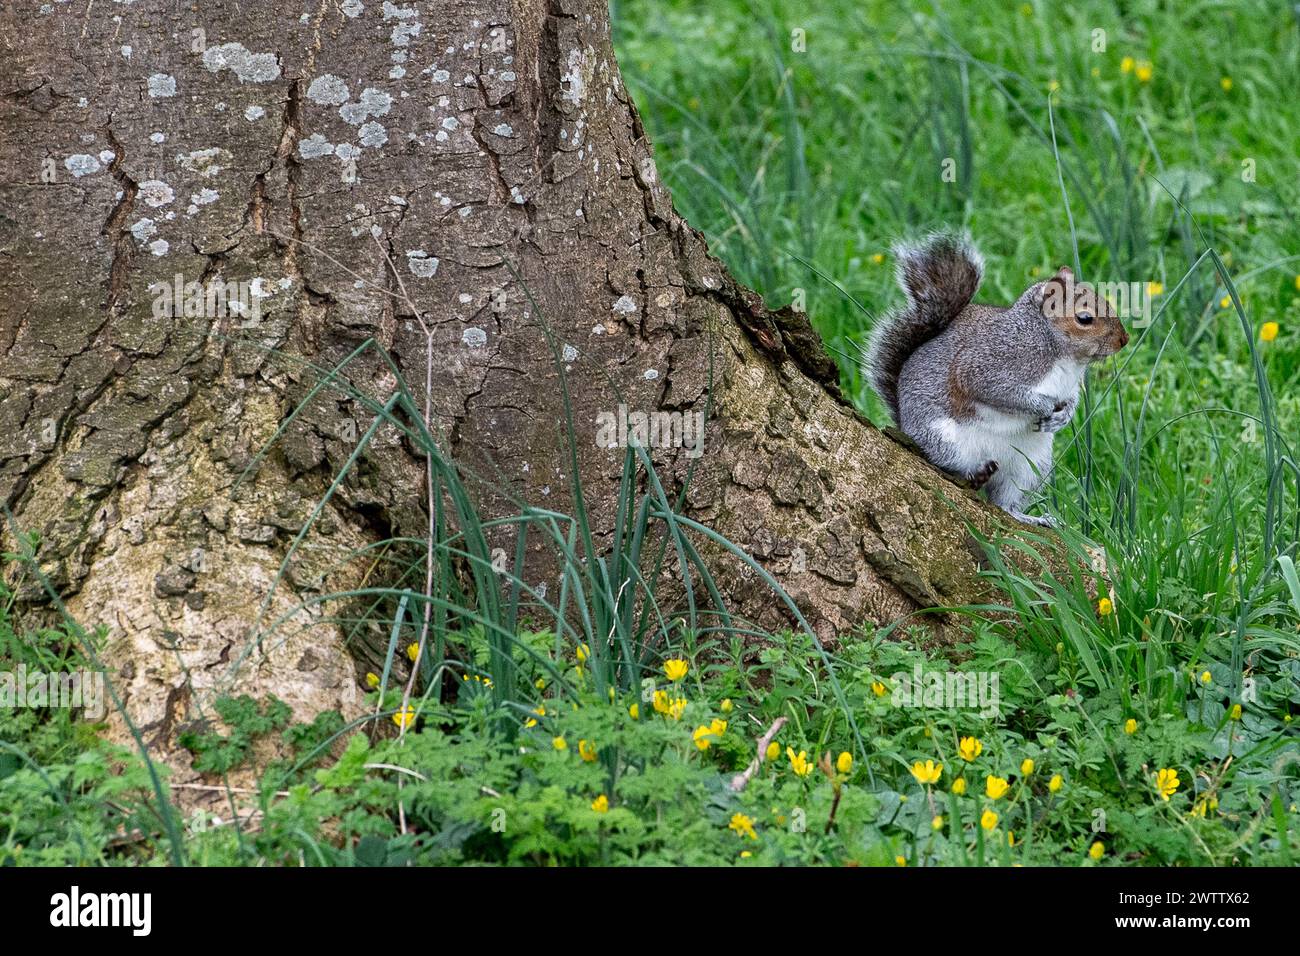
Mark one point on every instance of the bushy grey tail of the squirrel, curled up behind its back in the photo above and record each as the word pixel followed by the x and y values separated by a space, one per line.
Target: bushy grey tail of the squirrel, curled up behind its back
pixel 941 278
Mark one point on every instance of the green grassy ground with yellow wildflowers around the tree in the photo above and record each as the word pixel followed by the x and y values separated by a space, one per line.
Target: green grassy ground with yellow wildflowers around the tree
pixel 1152 730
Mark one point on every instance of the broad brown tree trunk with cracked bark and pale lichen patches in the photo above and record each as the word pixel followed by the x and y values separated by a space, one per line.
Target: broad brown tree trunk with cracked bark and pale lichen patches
pixel 149 146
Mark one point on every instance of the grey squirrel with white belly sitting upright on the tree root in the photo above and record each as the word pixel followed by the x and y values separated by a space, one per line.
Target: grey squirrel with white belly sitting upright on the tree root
pixel 982 390
